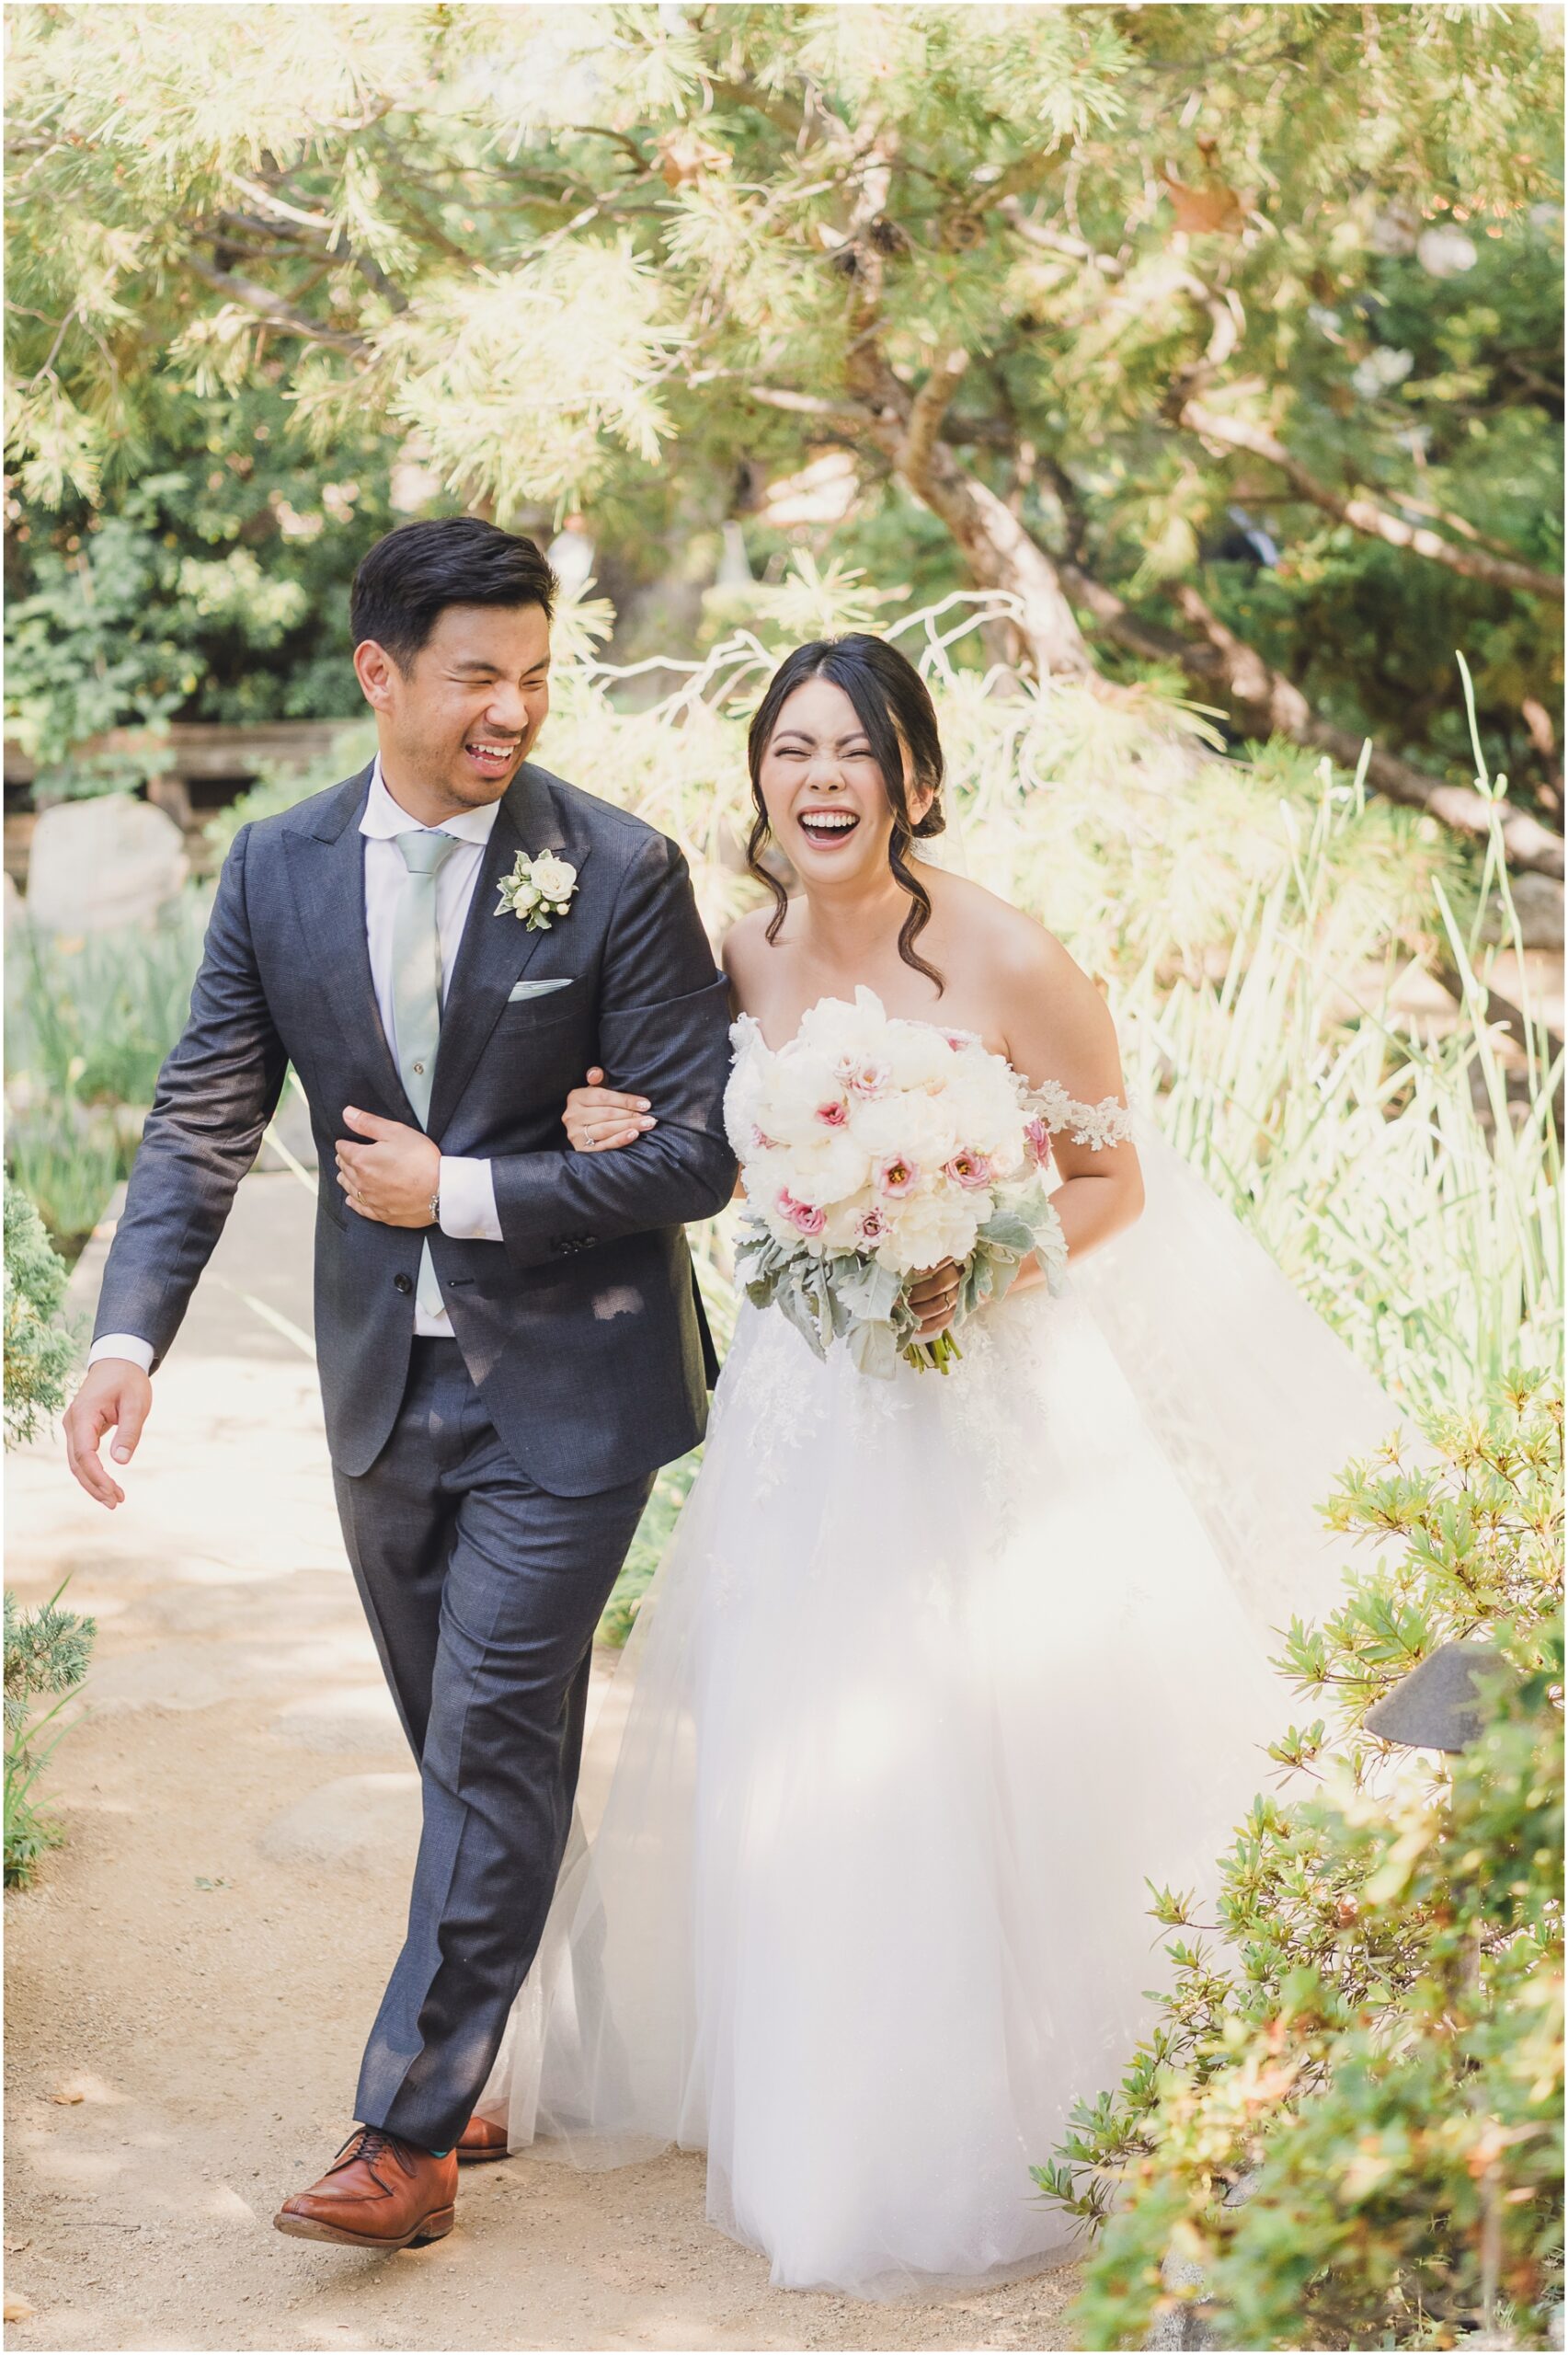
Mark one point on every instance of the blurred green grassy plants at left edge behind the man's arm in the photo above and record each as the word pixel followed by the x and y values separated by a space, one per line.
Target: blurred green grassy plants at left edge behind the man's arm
pixel 88 1028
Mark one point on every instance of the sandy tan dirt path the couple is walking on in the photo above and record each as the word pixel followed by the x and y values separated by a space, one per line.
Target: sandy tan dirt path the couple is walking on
pixel 192 1979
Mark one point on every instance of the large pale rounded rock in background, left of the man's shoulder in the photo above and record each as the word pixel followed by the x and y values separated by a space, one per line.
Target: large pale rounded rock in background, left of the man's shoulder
pixel 102 863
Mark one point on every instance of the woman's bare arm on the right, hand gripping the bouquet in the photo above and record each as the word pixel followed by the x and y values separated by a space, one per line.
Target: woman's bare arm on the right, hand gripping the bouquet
pixel 1061 1030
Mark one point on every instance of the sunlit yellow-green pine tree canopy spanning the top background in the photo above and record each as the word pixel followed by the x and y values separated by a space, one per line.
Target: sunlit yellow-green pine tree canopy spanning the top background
pixel 658 258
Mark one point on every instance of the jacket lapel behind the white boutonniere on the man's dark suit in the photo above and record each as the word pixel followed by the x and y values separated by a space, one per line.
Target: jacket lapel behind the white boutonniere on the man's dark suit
pixel 496 948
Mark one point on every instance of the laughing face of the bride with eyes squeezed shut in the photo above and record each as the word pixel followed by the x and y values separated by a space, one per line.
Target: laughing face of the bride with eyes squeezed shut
pixel 823 790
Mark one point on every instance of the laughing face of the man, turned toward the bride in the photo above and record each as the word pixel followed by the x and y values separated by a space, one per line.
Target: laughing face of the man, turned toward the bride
pixel 465 715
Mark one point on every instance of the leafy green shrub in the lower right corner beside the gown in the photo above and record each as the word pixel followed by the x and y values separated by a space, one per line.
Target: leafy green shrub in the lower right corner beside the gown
pixel 1369 2034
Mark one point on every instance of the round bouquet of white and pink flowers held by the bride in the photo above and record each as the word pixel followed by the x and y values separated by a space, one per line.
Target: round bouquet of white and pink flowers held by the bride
pixel 872 1153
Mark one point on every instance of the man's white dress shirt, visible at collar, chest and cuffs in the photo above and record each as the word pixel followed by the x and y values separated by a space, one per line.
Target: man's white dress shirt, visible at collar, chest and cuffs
pixel 467 1188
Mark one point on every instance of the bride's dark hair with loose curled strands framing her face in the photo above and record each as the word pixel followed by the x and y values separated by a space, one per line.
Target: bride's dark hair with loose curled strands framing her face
pixel 901 719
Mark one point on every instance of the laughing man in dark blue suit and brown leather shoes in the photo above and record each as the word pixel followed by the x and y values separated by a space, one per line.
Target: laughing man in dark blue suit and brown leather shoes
pixel 510 1334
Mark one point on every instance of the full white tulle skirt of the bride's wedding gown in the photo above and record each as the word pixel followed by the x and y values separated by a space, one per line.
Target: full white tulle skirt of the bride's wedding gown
pixel 934 1678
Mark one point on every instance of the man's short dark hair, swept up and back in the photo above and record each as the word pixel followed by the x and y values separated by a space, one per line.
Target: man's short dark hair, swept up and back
pixel 416 573
